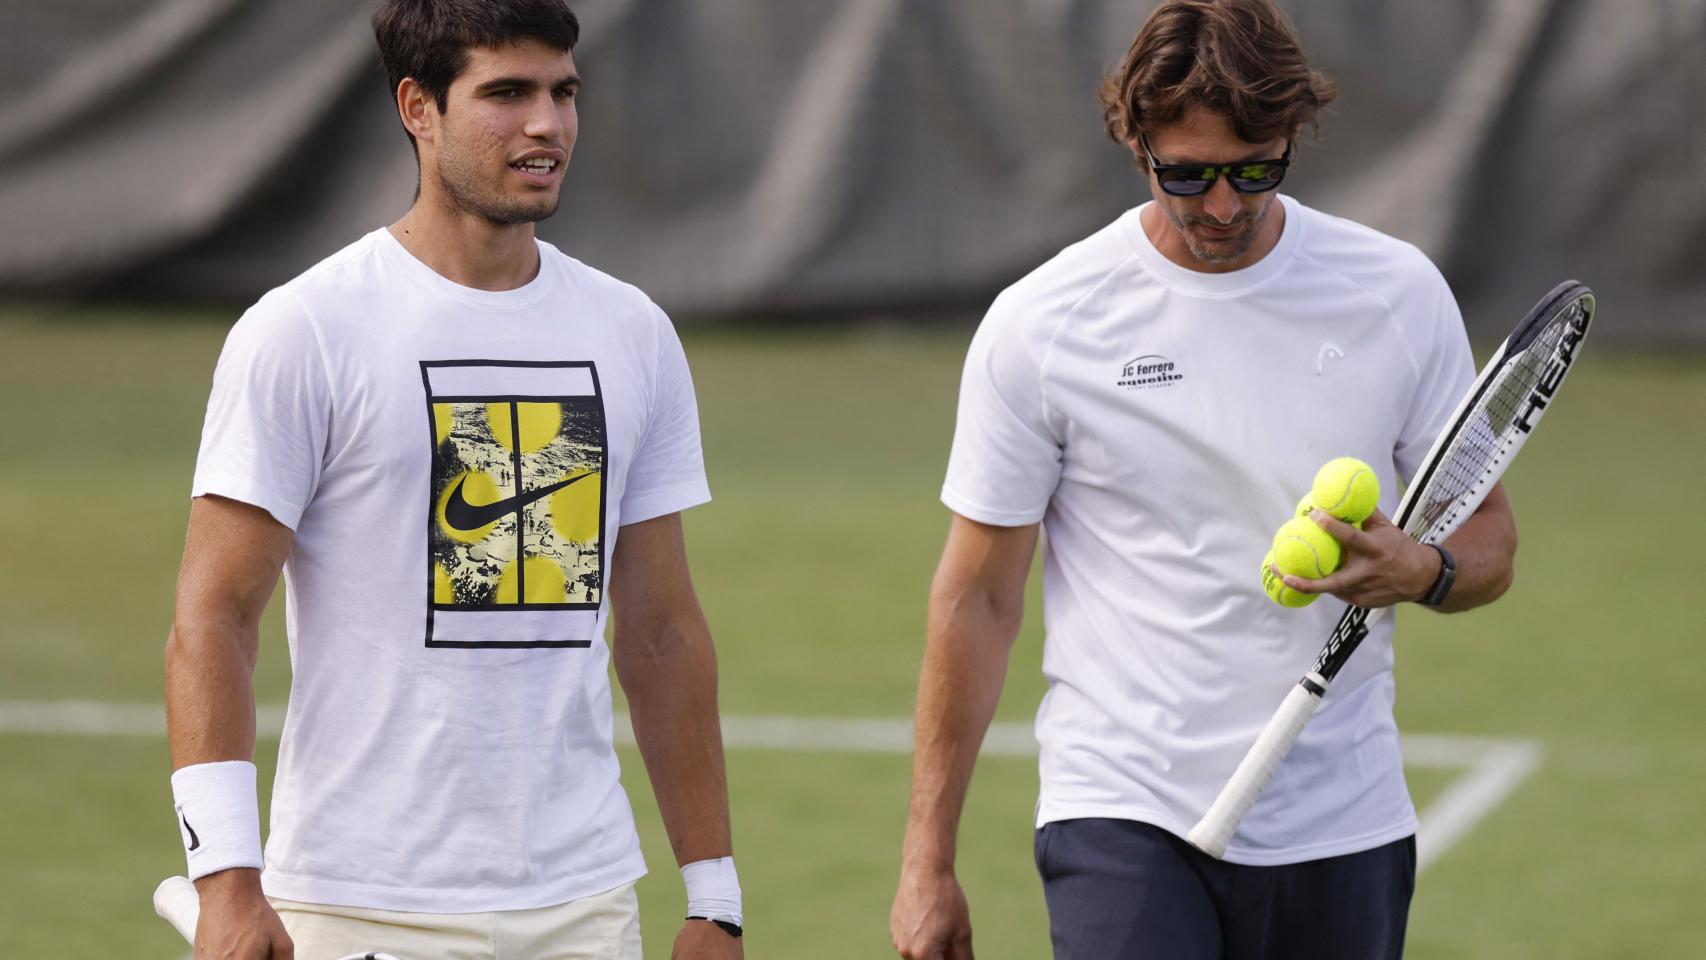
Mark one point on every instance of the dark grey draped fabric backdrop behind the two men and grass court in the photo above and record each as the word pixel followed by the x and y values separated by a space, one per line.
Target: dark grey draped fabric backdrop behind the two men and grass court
pixel 832 158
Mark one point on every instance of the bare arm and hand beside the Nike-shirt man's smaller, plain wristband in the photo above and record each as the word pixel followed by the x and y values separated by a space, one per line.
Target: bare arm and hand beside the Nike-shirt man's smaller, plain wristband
pixel 666 664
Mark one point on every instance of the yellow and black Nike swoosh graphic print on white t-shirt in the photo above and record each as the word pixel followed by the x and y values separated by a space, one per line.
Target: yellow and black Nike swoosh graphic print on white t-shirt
pixel 518 492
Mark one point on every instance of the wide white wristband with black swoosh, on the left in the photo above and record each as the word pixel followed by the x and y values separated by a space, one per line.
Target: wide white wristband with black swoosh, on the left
pixel 219 816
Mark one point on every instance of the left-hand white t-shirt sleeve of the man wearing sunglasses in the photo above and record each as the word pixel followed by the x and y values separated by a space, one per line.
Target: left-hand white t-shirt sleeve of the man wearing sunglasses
pixel 1006 461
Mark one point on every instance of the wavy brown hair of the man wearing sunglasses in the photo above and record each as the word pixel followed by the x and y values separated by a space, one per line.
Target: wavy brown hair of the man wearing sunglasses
pixel 1239 59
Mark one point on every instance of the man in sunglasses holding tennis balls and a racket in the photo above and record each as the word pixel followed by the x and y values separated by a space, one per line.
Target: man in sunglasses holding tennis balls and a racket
pixel 1158 396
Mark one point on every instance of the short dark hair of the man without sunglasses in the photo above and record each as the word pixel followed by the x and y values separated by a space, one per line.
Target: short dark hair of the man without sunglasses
pixel 429 40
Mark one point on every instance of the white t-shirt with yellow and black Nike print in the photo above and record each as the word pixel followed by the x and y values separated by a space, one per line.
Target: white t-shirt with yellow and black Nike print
pixel 448 743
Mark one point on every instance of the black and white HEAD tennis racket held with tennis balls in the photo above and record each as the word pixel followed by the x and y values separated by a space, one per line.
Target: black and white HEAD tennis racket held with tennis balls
pixel 1492 424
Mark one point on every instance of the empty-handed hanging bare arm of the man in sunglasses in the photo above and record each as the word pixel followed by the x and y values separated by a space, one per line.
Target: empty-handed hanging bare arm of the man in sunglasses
pixel 977 608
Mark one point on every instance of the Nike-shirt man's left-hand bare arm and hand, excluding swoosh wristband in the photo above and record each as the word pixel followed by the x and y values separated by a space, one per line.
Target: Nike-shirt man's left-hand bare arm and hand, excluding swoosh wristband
pixel 233 557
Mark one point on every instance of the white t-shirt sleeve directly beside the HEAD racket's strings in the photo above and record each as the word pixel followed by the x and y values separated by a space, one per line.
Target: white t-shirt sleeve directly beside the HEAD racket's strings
pixel 1446 373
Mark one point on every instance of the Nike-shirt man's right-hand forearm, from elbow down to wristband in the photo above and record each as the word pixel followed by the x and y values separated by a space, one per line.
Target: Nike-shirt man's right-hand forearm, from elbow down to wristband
pixel 670 678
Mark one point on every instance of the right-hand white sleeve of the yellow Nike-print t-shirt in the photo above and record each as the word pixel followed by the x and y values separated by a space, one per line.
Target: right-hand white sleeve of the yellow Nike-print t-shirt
pixel 668 473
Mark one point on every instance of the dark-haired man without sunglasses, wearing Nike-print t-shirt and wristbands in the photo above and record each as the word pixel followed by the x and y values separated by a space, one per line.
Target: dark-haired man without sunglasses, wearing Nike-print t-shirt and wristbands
pixel 463 449
